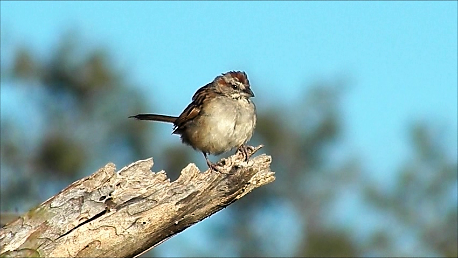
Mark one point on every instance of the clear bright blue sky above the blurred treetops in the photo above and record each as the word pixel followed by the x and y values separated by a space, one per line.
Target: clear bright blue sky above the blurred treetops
pixel 399 58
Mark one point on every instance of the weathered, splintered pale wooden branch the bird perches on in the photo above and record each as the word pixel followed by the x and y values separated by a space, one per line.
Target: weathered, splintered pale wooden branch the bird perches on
pixel 110 214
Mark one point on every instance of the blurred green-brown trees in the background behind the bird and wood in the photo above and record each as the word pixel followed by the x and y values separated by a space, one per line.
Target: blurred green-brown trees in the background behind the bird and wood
pixel 81 101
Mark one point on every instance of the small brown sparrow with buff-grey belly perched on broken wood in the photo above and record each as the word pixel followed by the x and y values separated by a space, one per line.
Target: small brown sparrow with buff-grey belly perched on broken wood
pixel 220 117
